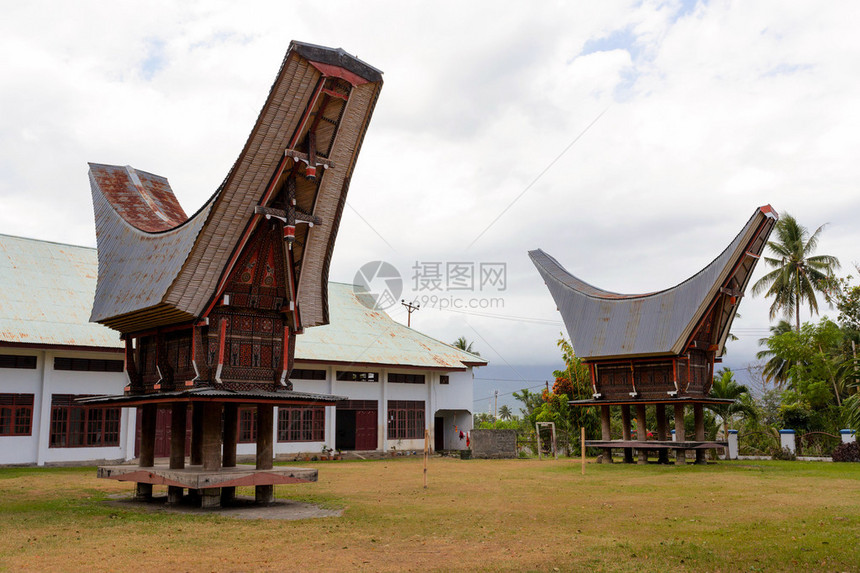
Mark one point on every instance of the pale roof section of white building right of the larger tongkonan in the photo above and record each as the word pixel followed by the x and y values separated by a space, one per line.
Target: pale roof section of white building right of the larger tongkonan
pixel 360 335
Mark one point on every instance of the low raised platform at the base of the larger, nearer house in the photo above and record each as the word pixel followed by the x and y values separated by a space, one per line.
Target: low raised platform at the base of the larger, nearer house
pixel 195 477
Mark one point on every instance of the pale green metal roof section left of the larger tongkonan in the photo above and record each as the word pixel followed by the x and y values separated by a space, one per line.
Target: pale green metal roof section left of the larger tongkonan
pixel 46 293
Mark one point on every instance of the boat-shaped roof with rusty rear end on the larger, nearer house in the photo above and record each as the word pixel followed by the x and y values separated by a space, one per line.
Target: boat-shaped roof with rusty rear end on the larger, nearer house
pixel 159 267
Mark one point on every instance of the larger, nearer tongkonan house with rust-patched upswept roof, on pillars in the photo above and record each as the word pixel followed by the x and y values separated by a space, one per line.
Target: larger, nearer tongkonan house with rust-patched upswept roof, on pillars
pixel 209 306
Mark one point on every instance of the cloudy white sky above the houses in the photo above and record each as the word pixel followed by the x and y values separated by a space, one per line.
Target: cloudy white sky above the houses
pixel 629 140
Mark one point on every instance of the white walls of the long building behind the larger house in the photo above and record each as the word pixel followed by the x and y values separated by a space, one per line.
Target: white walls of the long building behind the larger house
pixel 452 402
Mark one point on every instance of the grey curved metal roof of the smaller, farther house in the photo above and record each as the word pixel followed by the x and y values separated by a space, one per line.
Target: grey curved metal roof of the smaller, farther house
pixel 603 324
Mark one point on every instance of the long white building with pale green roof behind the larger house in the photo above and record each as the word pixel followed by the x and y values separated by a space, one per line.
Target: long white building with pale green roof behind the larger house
pixel 396 381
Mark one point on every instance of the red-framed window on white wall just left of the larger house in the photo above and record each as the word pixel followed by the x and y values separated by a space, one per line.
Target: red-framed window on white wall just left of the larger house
pixel 76 426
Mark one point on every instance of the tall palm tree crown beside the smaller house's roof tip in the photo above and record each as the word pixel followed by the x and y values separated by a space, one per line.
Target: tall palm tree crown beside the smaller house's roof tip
pixel 797 274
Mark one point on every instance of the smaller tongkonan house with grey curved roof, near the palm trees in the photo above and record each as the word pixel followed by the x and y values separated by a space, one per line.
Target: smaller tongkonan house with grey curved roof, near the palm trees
pixel 657 348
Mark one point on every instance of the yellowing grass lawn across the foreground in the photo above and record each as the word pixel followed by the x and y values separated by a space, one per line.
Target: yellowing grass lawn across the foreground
pixel 476 515
